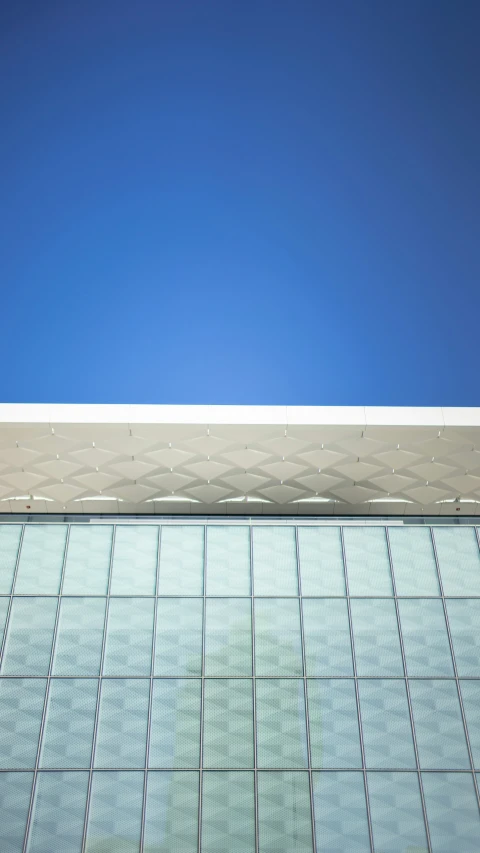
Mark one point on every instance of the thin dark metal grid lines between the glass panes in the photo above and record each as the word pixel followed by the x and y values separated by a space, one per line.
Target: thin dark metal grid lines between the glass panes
pixel 419 771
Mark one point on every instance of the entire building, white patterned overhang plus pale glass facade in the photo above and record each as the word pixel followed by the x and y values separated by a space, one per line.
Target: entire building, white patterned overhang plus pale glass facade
pixel 239 630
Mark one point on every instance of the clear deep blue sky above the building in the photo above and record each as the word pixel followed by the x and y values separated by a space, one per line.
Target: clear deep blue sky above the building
pixel 240 201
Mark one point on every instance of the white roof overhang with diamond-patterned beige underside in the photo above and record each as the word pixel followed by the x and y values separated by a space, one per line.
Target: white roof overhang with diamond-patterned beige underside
pixel 239 460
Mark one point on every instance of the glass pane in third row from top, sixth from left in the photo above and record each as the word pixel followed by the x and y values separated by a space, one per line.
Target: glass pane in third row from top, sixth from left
pixel 281 732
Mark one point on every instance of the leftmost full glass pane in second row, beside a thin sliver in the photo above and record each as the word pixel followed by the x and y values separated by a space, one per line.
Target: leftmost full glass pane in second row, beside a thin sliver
pixel 29 636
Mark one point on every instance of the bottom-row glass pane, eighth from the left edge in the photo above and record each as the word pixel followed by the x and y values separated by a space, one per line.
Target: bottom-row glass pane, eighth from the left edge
pixel 396 811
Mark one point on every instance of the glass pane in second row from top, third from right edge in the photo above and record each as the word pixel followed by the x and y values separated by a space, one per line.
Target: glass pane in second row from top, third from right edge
pixel 375 632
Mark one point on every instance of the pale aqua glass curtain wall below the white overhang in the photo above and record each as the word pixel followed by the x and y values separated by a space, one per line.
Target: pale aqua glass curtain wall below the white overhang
pixel 230 685
